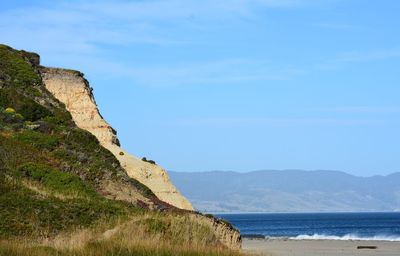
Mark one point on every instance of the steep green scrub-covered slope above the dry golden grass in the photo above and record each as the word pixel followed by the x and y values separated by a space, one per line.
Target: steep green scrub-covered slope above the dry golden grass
pixel 53 175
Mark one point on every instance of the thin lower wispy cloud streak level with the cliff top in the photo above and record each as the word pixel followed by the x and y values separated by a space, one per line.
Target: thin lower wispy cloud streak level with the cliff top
pixel 197 73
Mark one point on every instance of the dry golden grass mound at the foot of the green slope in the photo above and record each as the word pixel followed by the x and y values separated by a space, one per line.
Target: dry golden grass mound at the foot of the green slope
pixel 150 234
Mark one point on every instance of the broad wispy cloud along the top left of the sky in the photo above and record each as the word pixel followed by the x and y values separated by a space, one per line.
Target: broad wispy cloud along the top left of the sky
pixel 80 25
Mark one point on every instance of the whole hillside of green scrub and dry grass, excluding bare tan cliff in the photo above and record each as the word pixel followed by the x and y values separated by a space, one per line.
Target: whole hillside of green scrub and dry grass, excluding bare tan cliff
pixel 62 192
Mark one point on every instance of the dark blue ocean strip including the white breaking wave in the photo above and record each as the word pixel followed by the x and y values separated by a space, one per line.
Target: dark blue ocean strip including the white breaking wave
pixel 316 226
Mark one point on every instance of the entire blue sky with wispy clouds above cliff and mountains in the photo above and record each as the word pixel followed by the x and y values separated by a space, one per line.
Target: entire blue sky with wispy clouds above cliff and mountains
pixel 235 85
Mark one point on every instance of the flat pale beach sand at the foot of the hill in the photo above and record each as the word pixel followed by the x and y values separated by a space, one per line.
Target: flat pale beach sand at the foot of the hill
pixel 318 247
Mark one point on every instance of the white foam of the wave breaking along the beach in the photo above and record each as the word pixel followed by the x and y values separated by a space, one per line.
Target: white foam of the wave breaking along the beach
pixel 347 238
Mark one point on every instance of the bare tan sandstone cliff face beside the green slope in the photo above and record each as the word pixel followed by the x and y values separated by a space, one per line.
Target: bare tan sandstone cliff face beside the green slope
pixel 72 89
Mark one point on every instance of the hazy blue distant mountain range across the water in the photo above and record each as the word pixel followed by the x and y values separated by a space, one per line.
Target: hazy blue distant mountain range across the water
pixel 288 191
